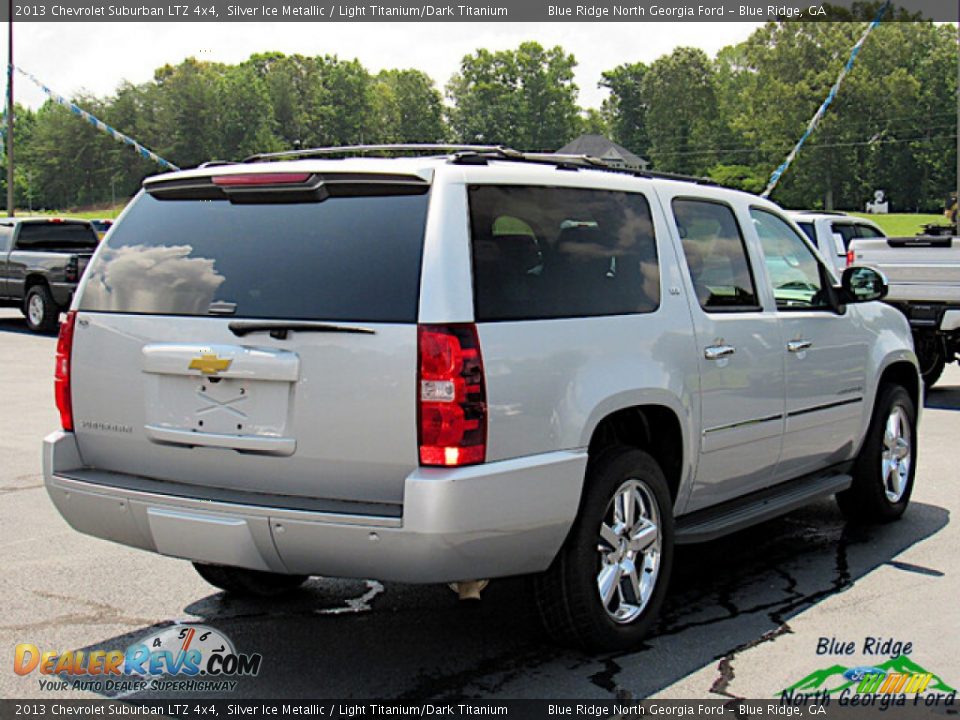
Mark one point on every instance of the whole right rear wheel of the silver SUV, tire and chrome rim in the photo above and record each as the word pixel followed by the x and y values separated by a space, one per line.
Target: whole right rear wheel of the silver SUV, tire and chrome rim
pixel 605 588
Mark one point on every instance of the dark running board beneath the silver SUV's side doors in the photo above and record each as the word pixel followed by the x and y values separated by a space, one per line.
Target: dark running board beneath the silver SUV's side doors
pixel 711 523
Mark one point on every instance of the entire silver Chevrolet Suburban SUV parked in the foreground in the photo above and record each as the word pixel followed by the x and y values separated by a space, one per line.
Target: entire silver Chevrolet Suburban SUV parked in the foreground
pixel 466 366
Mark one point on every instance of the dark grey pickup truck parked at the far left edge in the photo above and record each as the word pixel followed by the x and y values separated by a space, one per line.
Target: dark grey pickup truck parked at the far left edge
pixel 41 261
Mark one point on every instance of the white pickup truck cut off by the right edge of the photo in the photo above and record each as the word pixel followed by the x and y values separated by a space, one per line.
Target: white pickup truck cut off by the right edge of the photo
pixel 924 280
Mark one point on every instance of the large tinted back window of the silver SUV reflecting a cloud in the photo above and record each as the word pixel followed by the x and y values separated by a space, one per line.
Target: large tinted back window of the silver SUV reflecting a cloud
pixel 346 258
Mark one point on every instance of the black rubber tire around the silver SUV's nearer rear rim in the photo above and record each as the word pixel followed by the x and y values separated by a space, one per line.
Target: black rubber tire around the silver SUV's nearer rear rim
pixel 567 594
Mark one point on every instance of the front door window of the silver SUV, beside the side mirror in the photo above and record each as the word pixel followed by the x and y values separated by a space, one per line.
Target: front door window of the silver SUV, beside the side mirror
pixel 793 268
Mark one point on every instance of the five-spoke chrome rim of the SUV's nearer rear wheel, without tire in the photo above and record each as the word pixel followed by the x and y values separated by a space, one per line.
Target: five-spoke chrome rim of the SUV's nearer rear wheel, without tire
pixel 629 551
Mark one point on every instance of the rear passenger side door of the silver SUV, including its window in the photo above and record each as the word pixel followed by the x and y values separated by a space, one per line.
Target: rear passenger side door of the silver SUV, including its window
pixel 739 348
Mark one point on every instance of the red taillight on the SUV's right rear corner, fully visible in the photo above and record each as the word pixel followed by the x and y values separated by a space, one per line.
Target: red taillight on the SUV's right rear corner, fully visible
pixel 452 400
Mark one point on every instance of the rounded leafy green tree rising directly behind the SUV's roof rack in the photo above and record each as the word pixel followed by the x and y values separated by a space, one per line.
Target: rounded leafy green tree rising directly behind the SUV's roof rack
pixel 525 98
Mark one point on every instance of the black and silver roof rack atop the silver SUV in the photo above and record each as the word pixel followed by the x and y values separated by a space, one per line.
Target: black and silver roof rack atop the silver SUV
pixel 480 154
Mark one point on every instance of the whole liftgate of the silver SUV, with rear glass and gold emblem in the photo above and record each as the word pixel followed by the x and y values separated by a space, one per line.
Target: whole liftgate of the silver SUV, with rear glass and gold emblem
pixel 265 344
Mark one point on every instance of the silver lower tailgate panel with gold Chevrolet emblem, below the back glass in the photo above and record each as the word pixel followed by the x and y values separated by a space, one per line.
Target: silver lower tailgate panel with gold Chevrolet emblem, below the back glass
pixel 318 415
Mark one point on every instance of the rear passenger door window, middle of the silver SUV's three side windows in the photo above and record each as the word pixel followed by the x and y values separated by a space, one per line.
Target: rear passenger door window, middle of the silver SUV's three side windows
pixel 716 255
